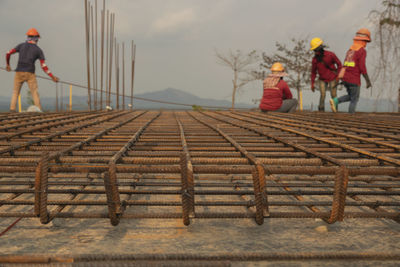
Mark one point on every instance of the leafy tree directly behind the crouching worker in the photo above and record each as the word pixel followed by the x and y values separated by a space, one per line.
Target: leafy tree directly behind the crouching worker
pixel 297 62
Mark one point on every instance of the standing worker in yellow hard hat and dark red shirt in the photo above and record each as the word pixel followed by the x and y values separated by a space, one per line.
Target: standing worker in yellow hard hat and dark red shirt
pixel 327 65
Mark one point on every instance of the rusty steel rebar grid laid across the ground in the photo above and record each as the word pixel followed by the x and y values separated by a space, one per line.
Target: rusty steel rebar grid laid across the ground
pixel 123 165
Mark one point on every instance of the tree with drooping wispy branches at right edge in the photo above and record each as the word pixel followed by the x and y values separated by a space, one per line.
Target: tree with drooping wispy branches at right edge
pixel 386 42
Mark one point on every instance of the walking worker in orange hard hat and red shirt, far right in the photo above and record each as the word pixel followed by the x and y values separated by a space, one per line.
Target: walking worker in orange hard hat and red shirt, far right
pixel 353 68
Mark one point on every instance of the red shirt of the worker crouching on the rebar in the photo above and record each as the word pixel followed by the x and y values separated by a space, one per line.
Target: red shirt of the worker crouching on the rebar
pixel 273 96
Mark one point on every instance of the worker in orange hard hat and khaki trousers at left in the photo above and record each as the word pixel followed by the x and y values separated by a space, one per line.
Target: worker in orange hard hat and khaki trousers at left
pixel 29 52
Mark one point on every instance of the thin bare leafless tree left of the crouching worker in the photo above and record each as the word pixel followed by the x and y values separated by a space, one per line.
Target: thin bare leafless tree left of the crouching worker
pixel 241 64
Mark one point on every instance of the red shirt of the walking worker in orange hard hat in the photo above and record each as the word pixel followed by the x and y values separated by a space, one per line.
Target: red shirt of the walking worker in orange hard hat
pixel 355 66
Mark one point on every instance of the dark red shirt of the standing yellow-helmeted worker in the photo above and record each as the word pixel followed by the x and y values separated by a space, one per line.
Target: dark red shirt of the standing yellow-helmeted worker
pixel 327 69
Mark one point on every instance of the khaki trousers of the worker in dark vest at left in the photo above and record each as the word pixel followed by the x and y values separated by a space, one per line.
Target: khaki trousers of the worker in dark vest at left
pixel 20 78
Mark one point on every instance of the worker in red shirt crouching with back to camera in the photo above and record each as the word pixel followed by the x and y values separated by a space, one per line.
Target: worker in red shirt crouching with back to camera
pixel 277 96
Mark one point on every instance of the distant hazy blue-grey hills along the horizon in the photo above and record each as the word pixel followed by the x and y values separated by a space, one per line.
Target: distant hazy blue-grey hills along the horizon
pixel 182 97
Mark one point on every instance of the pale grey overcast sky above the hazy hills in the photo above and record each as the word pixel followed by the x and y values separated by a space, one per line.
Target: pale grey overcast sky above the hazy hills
pixel 176 39
